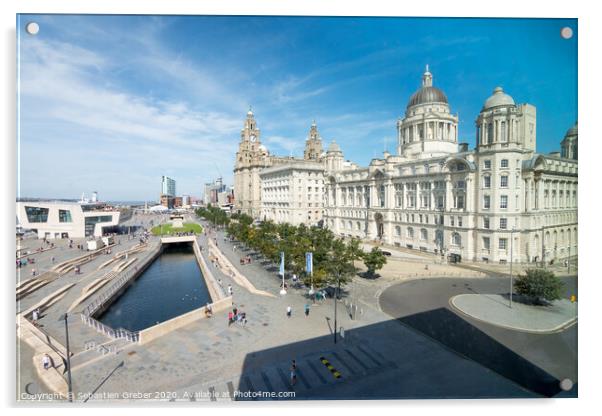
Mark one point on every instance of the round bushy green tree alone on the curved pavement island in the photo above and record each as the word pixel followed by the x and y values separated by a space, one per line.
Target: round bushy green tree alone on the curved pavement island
pixel 540 285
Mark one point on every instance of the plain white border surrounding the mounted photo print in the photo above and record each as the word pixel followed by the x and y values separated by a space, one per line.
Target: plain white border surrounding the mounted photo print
pixel 589 97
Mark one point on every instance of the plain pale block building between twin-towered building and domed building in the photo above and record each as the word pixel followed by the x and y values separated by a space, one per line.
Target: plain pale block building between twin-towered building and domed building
pixel 293 193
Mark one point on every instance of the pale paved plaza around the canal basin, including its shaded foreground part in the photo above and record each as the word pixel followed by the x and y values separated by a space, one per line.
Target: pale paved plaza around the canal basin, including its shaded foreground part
pixel 377 355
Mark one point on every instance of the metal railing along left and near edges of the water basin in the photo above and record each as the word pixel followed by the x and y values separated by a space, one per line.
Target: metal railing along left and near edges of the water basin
pixel 106 296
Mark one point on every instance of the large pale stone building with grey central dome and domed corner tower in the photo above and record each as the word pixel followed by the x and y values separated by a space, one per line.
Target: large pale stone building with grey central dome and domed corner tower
pixel 435 195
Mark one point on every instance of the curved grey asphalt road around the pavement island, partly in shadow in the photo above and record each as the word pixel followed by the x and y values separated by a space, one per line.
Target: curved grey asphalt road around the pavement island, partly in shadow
pixel 535 361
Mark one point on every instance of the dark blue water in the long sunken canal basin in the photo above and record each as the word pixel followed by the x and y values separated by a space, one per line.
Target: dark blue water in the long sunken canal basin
pixel 172 285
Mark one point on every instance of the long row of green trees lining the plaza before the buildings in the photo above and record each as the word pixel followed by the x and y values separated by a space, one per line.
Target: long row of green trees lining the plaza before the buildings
pixel 333 258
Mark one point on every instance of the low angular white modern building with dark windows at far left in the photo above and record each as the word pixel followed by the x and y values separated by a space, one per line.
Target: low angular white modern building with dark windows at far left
pixel 57 219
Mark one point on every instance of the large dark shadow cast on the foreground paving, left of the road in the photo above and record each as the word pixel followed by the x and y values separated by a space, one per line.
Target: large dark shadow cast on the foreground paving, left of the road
pixel 373 362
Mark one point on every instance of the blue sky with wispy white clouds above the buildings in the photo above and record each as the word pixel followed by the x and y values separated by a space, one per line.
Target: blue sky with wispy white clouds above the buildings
pixel 111 103
